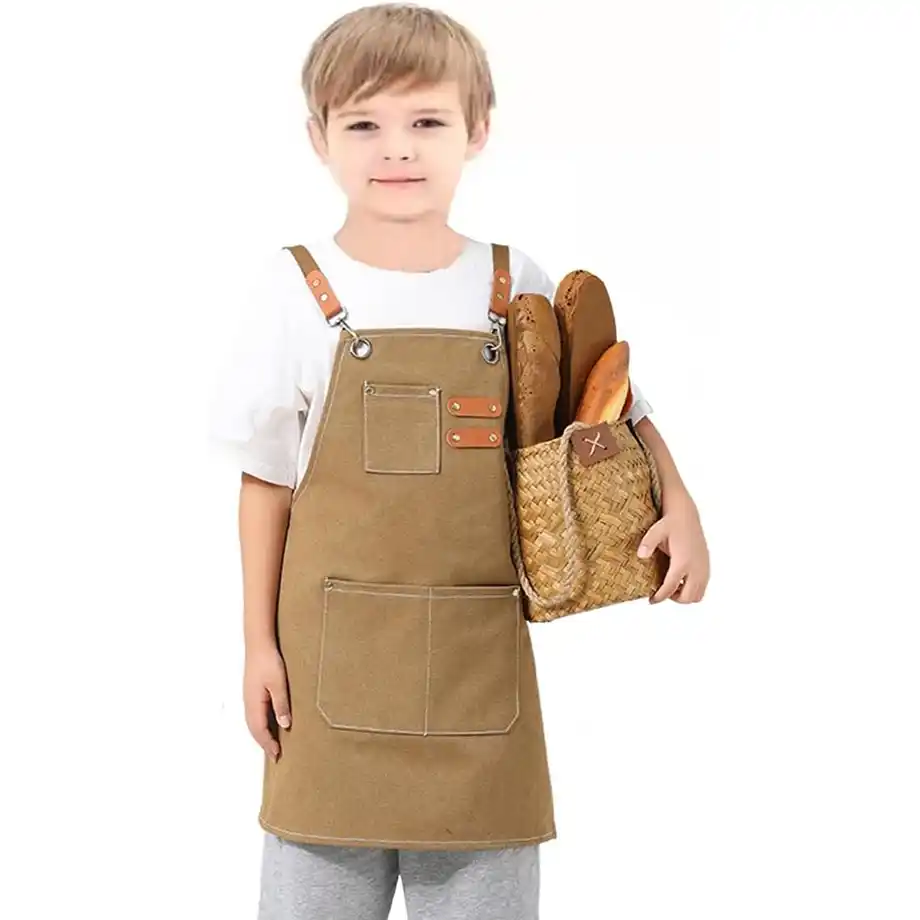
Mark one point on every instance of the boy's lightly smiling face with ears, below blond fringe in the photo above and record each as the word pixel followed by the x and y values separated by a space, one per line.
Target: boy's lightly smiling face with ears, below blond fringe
pixel 418 135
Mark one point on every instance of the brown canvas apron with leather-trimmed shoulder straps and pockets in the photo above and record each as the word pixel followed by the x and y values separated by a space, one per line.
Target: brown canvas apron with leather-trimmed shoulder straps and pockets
pixel 416 719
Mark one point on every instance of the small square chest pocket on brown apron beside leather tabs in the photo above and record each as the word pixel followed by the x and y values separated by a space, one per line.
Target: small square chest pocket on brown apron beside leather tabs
pixel 402 428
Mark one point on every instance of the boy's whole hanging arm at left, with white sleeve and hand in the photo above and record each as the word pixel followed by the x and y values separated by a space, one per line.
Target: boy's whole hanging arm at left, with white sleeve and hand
pixel 258 405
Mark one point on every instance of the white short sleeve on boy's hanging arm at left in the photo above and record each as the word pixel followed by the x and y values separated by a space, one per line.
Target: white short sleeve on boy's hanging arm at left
pixel 256 402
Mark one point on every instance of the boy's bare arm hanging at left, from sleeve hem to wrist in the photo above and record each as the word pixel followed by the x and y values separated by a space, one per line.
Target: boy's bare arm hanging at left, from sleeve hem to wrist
pixel 264 515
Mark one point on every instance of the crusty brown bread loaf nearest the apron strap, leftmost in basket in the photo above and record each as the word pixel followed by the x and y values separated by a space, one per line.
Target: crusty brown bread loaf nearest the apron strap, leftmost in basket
pixel 534 350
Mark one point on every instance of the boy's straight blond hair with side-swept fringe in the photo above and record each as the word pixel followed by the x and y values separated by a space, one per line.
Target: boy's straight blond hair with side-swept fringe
pixel 372 48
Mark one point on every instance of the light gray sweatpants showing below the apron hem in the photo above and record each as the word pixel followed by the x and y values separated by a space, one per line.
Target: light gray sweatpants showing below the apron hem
pixel 303 881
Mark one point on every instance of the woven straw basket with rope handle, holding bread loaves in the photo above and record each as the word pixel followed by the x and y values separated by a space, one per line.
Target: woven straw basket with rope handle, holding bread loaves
pixel 576 527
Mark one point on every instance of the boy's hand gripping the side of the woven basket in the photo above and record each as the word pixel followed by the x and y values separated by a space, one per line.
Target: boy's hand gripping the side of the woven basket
pixel 679 534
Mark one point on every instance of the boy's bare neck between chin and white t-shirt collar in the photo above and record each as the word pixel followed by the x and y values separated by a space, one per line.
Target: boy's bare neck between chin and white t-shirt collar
pixel 417 246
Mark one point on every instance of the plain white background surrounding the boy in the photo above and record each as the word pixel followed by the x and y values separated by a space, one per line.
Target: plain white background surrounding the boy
pixel 744 179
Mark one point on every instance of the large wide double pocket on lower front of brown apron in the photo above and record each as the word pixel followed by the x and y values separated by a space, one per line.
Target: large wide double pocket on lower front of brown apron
pixel 420 660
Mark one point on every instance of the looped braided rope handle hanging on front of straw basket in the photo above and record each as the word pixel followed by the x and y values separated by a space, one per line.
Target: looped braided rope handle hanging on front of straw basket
pixel 573 542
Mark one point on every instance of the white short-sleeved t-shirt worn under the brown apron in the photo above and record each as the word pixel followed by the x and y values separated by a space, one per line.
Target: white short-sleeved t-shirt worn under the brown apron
pixel 267 403
